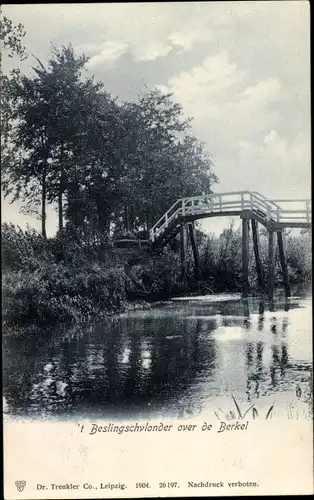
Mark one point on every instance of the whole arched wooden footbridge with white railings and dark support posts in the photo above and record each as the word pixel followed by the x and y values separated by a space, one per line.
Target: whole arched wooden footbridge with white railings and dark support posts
pixel 251 207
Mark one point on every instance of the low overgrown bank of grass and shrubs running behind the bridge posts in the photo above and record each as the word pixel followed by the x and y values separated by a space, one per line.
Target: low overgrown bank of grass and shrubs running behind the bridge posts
pixel 46 281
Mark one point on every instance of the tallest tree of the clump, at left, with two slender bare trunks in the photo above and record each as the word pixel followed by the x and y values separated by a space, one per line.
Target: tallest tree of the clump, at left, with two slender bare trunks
pixel 50 115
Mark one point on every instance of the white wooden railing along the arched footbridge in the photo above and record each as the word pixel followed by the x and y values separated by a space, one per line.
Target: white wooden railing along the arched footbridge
pixel 233 203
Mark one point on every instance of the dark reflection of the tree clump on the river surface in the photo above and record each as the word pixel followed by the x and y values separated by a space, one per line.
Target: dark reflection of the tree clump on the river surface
pixel 126 366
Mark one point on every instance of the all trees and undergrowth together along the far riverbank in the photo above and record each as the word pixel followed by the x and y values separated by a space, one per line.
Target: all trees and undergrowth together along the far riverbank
pixel 111 169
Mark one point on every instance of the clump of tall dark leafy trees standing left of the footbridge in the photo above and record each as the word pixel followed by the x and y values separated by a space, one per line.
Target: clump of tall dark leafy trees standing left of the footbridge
pixel 106 164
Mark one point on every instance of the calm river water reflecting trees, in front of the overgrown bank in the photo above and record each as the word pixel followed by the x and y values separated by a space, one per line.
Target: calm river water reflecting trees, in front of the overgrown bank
pixel 179 359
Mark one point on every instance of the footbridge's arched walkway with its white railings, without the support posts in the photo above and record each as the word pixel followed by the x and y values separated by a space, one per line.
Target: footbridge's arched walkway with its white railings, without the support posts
pixel 273 214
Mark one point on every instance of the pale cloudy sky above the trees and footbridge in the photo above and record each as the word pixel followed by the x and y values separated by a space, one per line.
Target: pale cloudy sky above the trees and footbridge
pixel 240 69
